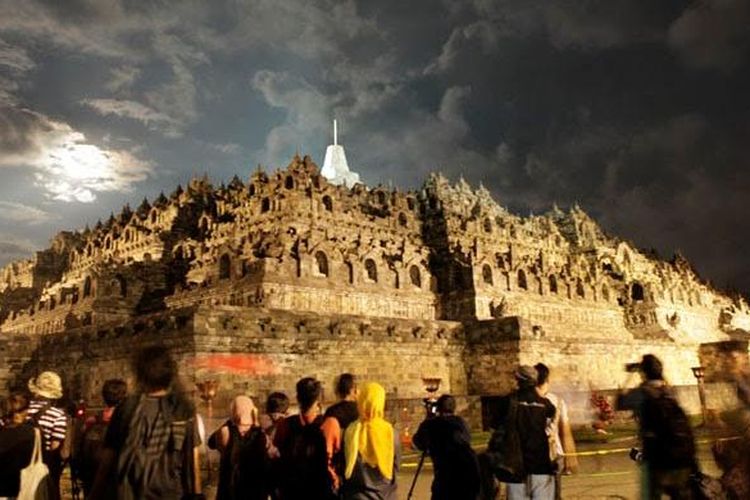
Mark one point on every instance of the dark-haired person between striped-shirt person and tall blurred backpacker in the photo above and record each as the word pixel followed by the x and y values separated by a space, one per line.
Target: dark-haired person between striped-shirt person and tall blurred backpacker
pixel 89 447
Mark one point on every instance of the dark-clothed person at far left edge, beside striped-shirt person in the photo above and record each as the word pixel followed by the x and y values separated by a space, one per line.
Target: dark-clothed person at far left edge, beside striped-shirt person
pixel 17 437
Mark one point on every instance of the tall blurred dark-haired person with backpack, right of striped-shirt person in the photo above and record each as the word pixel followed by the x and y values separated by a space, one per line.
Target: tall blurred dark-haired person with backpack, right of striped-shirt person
pixel 152 442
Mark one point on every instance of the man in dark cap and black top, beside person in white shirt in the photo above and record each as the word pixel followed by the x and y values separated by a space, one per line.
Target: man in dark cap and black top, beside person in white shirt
pixel 524 414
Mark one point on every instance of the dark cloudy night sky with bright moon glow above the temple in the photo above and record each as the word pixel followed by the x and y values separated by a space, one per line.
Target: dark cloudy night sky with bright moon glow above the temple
pixel 639 111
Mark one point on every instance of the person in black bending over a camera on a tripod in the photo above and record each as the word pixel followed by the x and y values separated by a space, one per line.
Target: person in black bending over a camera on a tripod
pixel 446 438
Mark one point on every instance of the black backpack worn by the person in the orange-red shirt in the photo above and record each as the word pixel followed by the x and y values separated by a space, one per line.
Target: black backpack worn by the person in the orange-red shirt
pixel 305 459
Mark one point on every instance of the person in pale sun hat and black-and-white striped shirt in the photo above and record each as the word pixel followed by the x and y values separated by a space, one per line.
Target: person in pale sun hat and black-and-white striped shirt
pixel 46 389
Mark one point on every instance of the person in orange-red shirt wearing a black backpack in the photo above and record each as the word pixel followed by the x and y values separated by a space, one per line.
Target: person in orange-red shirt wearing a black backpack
pixel 303 463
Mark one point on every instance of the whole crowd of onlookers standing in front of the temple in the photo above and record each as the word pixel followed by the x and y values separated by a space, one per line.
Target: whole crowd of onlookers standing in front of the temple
pixel 146 445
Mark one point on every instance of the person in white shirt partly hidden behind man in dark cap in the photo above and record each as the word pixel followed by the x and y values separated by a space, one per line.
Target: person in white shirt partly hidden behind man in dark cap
pixel 562 445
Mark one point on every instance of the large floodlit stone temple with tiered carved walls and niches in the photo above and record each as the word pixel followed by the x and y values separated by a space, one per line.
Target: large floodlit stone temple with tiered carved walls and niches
pixel 255 284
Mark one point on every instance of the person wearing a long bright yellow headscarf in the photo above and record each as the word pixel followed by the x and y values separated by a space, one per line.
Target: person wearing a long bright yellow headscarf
pixel 370 449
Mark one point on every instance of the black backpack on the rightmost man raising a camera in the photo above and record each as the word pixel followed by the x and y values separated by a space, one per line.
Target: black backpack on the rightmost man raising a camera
pixel 668 441
